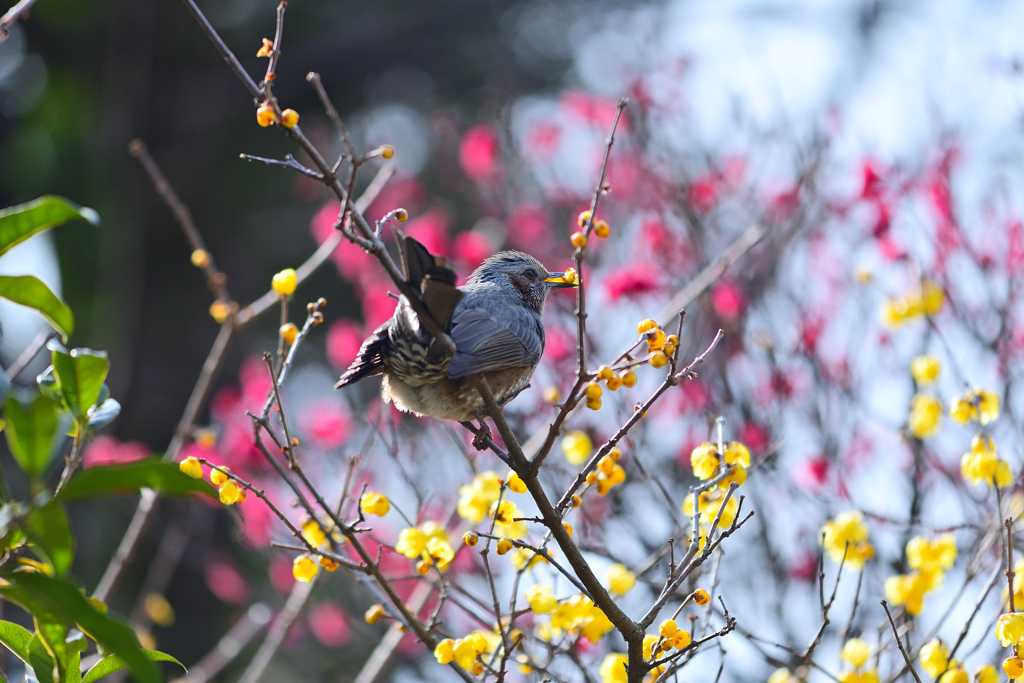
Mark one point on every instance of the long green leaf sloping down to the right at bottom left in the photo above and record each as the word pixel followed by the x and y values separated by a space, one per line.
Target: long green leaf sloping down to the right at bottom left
pixel 68 603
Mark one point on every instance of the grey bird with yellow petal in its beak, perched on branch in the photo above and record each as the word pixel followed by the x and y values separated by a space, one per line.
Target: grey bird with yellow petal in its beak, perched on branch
pixel 494 321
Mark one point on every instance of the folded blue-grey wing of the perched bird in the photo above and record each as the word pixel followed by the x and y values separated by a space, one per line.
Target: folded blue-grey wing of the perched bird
pixel 483 345
